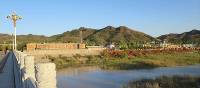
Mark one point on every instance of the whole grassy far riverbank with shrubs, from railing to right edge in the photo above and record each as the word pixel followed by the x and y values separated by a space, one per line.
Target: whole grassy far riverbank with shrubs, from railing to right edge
pixel 124 62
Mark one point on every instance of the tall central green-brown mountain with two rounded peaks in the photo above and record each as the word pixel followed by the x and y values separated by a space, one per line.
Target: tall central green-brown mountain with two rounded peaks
pixel 120 34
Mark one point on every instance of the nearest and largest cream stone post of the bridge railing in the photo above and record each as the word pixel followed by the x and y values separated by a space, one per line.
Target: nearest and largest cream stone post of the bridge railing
pixel 45 75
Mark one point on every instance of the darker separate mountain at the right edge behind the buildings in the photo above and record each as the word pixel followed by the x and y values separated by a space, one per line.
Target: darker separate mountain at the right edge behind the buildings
pixel 192 36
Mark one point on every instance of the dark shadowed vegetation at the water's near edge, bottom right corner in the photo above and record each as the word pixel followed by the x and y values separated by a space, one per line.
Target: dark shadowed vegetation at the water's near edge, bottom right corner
pixel 166 82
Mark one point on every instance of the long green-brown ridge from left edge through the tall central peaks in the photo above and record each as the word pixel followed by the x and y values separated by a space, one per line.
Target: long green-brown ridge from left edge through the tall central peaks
pixel 90 36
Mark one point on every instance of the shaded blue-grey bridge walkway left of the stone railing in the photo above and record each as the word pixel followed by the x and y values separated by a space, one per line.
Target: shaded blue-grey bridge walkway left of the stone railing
pixel 6 76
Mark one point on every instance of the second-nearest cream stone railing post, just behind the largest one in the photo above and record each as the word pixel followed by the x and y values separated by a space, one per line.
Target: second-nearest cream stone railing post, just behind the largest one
pixel 29 67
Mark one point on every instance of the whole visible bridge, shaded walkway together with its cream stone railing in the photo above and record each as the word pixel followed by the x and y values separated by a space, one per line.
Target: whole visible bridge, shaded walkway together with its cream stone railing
pixel 18 70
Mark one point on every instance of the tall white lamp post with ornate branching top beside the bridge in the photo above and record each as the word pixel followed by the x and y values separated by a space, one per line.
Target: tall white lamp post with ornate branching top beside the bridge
pixel 14 17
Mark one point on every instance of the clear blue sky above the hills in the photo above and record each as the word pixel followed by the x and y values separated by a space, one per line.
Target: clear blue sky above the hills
pixel 50 17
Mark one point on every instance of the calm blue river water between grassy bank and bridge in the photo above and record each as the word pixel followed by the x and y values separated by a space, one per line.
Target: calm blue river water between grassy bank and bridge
pixel 94 77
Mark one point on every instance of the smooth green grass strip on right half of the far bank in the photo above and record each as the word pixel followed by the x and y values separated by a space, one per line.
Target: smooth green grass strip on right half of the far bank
pixel 152 61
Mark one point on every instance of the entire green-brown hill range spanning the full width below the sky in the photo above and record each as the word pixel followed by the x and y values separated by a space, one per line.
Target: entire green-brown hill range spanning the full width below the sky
pixel 123 37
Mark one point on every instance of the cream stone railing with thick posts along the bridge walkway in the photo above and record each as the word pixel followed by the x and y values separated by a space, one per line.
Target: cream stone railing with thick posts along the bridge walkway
pixel 40 75
